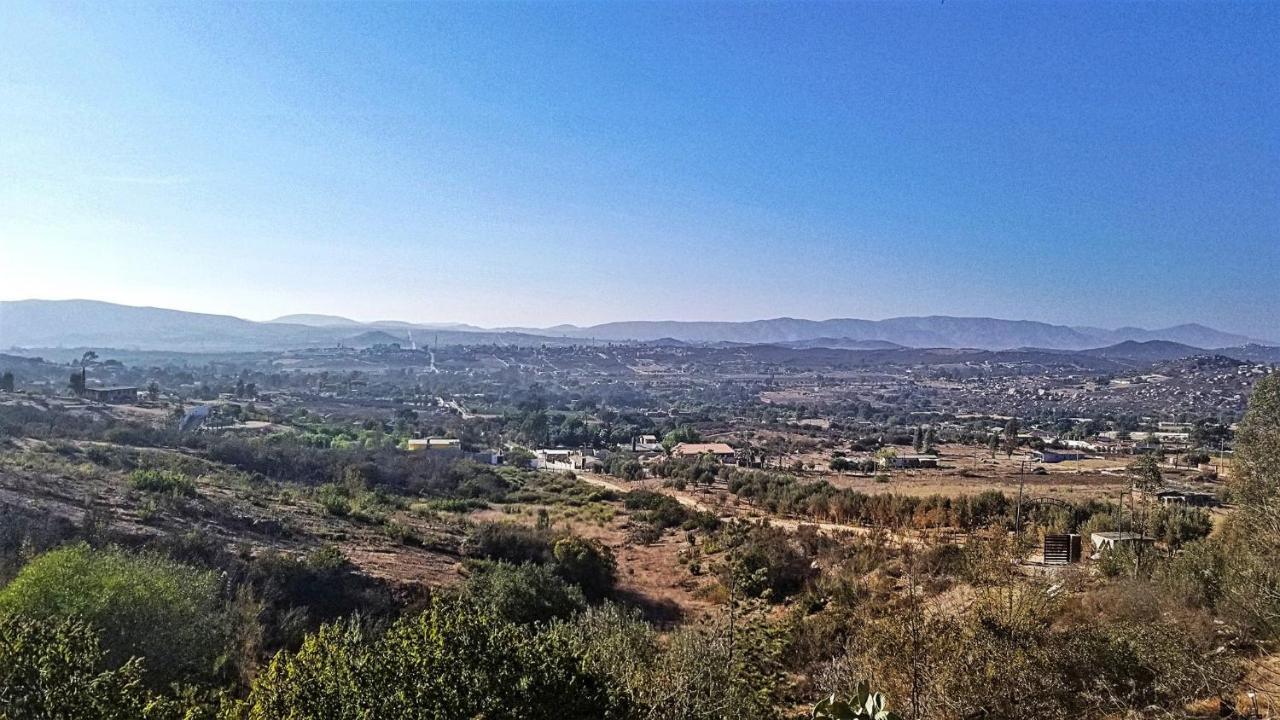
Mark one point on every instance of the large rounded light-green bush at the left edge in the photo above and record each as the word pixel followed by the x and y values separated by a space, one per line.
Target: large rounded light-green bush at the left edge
pixel 144 605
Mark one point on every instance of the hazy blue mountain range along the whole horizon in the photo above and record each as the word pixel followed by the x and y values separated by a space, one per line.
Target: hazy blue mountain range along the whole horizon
pixel 76 323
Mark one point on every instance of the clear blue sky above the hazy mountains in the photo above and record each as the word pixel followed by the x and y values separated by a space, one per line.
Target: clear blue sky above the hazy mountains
pixel 534 165
